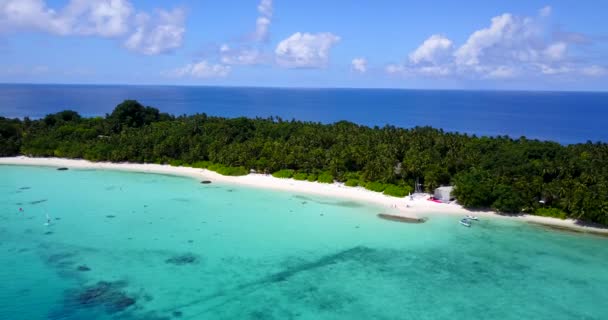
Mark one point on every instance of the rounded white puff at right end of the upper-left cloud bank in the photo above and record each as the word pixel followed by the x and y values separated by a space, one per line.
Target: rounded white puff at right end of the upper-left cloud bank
pixel 162 34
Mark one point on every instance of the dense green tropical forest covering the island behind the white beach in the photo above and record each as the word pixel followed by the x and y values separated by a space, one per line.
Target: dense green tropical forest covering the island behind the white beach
pixel 508 175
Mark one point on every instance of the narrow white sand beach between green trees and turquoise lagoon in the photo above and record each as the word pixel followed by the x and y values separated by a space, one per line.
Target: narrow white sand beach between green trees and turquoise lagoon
pixel 417 208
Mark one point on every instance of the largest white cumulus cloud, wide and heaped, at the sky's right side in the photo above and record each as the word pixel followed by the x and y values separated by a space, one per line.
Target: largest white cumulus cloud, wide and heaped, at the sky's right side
pixel 511 46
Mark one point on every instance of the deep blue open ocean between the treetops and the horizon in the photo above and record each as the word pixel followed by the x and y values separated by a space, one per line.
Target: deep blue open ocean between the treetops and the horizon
pixel 566 117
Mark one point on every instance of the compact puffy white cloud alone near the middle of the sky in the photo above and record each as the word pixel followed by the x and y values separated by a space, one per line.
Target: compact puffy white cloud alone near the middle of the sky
pixel 305 50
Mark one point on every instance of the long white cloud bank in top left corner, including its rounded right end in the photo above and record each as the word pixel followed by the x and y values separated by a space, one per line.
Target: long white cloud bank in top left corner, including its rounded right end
pixel 149 34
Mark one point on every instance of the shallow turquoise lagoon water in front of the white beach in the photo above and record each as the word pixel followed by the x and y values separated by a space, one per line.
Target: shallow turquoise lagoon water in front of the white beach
pixel 143 246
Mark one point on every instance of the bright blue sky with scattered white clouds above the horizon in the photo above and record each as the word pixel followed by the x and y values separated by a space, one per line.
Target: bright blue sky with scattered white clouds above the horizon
pixel 486 45
